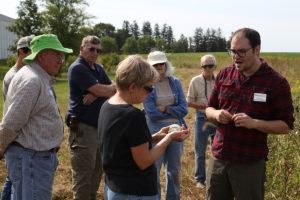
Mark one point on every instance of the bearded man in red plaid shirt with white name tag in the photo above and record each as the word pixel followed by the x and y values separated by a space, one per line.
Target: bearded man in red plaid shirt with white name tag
pixel 249 100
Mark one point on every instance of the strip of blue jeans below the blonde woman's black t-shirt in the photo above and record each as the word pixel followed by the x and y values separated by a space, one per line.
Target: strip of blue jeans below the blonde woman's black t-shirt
pixel 111 195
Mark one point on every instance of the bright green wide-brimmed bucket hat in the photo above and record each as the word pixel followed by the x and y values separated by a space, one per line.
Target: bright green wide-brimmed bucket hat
pixel 45 41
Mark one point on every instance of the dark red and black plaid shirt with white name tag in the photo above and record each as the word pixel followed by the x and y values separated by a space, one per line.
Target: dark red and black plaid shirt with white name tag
pixel 235 93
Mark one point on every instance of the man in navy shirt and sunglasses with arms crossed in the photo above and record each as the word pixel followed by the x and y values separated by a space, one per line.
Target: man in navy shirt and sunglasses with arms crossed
pixel 89 88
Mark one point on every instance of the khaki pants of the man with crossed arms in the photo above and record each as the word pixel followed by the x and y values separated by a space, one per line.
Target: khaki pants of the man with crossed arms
pixel 85 161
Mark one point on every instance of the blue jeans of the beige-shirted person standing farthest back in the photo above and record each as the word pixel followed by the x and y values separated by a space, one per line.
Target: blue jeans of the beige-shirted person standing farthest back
pixel 202 131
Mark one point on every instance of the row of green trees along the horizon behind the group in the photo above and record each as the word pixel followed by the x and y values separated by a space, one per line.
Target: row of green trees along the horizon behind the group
pixel 67 19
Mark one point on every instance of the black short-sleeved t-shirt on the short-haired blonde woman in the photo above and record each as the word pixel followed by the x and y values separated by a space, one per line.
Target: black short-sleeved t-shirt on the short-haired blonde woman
pixel 121 127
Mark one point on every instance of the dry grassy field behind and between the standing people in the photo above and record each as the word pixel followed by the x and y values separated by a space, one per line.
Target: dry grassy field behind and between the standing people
pixel 283 169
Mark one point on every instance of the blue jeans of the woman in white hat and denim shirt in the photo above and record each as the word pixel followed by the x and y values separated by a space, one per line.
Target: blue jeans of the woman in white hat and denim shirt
pixel 171 159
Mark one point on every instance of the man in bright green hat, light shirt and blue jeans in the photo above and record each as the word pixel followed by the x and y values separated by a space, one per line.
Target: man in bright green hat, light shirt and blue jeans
pixel 32 128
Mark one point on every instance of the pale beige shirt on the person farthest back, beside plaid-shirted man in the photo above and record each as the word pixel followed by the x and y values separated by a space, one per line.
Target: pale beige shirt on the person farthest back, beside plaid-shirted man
pixel 196 92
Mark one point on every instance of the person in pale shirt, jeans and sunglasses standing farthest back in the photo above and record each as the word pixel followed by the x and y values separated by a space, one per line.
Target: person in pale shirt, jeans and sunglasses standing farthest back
pixel 198 94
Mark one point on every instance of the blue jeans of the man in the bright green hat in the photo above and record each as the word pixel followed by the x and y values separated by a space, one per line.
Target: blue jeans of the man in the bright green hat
pixel 31 172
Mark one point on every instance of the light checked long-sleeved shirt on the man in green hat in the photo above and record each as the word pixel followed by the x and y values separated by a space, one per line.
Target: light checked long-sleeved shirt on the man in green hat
pixel 30 110
